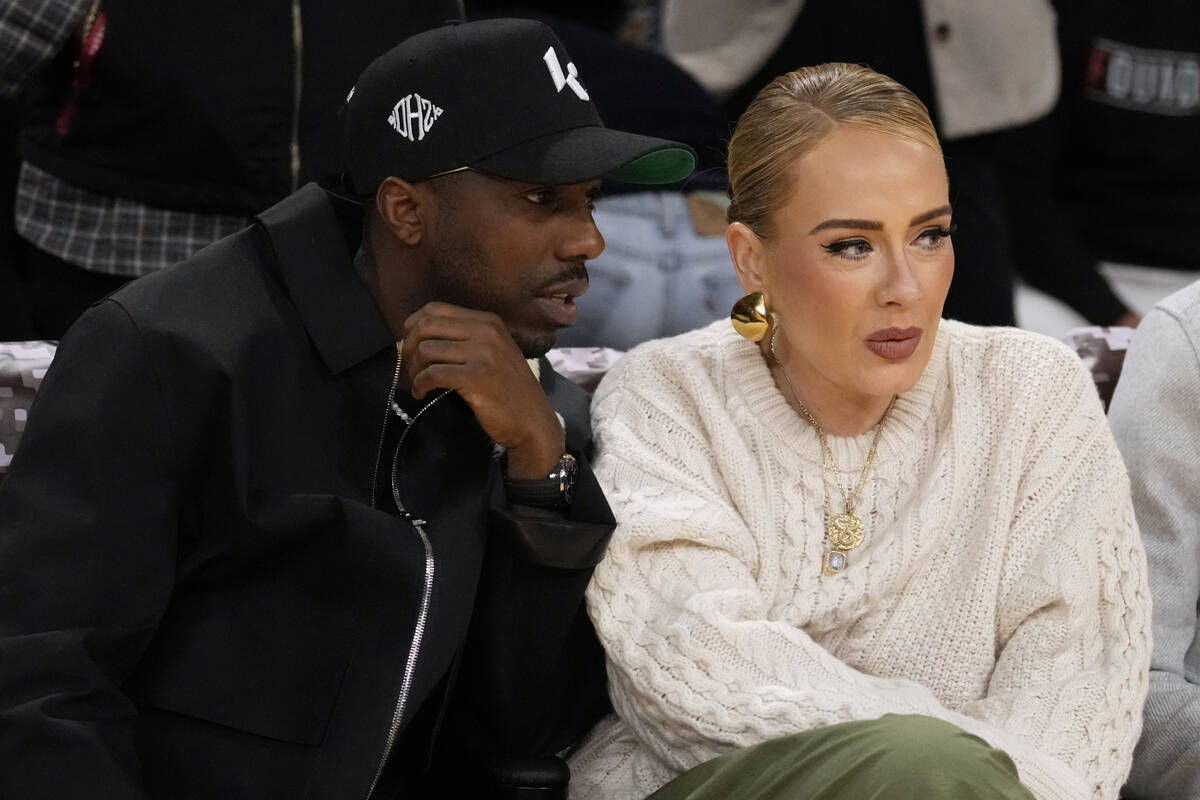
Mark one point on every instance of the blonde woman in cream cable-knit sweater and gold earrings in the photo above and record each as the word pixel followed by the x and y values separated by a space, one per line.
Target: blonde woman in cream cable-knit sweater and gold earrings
pixel 867 513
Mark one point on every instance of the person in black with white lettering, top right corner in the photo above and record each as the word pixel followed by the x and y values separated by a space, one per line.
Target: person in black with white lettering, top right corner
pixel 1113 172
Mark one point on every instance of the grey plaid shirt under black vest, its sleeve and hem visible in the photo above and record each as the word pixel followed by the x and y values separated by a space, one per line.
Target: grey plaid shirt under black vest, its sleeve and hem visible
pixel 92 231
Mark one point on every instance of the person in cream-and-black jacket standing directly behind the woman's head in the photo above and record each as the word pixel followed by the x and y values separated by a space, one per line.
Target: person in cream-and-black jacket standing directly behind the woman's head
pixel 981 69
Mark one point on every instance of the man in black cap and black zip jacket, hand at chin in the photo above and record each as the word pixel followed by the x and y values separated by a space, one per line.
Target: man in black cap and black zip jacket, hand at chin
pixel 253 548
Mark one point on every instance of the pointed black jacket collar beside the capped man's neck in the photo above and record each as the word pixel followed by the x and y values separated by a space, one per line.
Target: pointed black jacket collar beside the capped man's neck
pixel 309 232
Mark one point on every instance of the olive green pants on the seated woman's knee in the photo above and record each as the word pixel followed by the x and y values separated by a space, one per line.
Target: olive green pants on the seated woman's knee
pixel 895 757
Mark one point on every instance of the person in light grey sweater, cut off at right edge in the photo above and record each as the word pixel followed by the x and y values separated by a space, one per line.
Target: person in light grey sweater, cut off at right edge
pixel 1155 423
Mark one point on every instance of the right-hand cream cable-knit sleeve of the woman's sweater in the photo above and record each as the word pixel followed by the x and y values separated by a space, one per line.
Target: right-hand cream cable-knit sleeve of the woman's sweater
pixel 1075 606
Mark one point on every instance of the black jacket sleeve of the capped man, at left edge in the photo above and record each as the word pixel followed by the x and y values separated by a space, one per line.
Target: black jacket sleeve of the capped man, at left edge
pixel 87 564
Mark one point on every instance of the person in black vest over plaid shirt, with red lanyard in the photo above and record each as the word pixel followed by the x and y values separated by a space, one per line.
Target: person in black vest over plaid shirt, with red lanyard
pixel 152 130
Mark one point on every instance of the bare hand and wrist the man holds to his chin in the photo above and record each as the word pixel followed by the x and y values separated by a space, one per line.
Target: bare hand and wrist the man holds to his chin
pixel 472 352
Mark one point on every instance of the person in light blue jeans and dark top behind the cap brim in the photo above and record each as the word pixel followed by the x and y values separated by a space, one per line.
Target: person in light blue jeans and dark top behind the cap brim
pixel 667 268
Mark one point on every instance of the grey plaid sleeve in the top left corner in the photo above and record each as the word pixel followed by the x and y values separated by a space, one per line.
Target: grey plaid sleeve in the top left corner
pixel 32 32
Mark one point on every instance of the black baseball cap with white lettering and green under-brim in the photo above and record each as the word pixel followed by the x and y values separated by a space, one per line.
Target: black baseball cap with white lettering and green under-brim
pixel 501 97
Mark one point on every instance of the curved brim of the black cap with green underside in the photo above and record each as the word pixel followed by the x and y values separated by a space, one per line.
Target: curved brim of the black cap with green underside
pixel 589 153
